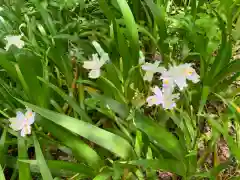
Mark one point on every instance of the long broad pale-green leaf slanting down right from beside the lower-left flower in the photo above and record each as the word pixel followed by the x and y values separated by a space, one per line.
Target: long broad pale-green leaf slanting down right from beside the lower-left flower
pixel 103 138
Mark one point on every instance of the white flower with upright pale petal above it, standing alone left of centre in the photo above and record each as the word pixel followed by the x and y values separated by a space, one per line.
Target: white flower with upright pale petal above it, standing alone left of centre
pixel 95 64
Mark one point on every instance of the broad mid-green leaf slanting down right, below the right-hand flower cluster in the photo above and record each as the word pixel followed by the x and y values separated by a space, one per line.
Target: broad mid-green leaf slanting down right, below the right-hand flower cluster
pixel 160 136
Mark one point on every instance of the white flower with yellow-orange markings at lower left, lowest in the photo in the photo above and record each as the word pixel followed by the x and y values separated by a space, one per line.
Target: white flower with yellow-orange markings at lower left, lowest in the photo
pixel 23 122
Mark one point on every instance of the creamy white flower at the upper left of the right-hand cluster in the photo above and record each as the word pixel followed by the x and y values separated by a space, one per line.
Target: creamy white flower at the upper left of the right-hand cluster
pixel 151 69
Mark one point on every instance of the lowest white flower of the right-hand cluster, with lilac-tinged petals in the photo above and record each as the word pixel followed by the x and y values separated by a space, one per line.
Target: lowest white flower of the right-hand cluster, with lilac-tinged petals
pixel 165 98
